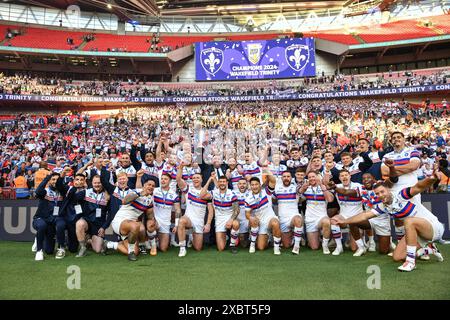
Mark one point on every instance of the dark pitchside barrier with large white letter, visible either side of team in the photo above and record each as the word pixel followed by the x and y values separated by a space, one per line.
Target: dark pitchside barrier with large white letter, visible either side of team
pixel 16 216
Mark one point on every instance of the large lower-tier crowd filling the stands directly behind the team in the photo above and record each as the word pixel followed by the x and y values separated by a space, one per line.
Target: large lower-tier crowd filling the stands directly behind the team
pixel 31 144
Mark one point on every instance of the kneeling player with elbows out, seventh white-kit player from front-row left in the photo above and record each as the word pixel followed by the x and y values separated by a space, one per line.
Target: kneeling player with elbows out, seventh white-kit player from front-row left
pixel 316 195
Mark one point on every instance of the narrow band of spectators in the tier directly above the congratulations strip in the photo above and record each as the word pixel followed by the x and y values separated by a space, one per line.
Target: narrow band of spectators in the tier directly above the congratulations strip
pixel 29 84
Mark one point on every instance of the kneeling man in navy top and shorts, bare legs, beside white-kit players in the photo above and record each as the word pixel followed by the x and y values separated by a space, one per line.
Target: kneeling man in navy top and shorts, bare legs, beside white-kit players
pixel 95 218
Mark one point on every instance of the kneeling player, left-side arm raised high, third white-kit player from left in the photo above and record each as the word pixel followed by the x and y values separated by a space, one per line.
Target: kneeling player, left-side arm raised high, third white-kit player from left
pixel 194 216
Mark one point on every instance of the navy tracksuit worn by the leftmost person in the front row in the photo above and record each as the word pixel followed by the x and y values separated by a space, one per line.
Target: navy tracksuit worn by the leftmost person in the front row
pixel 46 221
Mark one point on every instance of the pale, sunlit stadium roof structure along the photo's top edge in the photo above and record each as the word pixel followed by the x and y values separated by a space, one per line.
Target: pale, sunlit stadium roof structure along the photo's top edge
pixel 128 10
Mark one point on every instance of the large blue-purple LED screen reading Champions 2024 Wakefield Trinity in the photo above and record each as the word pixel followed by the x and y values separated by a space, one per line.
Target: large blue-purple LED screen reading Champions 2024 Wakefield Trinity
pixel 255 59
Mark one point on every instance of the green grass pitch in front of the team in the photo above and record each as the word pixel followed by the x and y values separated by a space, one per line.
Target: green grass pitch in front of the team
pixel 213 275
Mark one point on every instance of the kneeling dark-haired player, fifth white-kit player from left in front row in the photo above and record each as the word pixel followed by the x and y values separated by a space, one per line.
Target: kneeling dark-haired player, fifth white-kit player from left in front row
pixel 261 216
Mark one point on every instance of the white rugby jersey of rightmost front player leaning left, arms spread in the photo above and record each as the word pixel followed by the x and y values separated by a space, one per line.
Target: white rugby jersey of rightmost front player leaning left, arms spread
pixel 401 207
